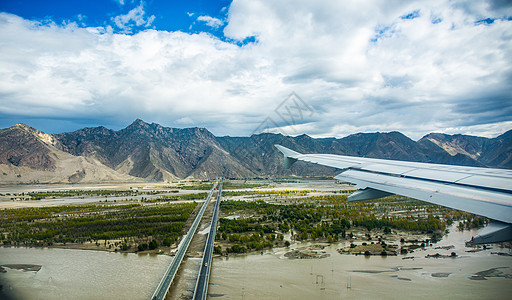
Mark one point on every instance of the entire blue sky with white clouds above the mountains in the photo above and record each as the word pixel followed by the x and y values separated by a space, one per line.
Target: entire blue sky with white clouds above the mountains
pixel 413 66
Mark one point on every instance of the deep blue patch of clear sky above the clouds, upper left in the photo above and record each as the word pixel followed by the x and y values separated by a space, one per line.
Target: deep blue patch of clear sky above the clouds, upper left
pixel 169 15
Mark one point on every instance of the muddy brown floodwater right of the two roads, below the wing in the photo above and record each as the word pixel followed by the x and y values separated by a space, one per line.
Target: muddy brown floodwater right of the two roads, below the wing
pixel 271 275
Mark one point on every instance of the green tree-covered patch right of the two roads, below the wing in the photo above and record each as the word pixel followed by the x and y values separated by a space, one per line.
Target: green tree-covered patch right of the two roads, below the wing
pixel 329 218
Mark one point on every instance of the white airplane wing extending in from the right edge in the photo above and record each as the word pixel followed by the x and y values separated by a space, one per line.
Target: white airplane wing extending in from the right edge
pixel 482 191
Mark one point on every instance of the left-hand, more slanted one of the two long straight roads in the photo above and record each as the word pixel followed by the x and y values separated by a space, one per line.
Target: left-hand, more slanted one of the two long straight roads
pixel 165 283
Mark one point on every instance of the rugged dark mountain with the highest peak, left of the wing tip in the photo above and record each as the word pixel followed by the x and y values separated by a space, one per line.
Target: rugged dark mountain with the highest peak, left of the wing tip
pixel 154 152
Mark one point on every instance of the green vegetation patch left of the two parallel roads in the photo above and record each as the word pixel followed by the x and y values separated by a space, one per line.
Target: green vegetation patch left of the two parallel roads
pixel 132 223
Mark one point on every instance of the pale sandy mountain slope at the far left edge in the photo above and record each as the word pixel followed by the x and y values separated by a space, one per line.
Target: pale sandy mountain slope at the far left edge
pixel 28 155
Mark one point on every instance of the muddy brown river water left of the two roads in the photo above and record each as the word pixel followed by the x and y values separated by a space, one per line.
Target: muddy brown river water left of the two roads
pixel 80 274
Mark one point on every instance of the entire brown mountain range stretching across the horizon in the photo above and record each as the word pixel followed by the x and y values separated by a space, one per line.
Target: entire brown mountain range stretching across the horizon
pixel 151 152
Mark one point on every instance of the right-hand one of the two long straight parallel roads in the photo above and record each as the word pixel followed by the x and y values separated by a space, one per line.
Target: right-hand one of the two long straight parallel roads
pixel 204 273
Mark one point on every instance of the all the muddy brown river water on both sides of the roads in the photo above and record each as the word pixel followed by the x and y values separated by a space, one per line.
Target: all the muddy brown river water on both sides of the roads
pixel 80 274
